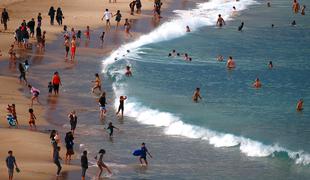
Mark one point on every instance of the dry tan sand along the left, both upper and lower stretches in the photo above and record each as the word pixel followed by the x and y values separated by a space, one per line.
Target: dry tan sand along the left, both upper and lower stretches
pixel 33 149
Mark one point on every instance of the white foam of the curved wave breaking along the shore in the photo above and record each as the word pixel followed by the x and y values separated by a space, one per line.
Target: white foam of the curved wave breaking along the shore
pixel 204 15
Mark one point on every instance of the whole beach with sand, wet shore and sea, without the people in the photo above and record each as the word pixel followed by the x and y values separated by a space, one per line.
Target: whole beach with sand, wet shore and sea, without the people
pixel 233 131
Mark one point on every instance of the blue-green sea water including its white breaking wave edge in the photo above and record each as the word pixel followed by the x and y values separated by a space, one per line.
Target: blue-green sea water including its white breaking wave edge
pixel 258 123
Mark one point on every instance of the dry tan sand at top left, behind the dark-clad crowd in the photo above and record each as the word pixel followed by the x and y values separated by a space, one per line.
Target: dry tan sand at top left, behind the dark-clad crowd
pixel 77 14
